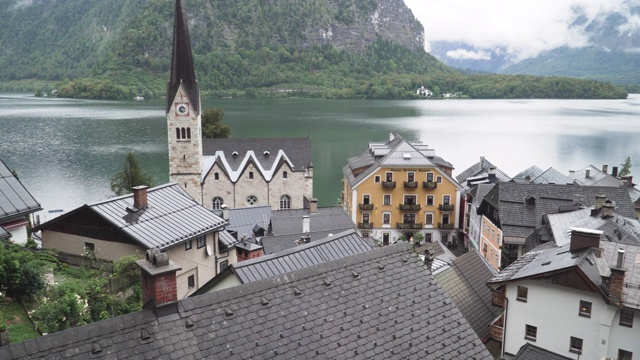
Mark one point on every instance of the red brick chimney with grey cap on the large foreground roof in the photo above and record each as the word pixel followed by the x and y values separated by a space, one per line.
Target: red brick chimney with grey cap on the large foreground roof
pixel 159 286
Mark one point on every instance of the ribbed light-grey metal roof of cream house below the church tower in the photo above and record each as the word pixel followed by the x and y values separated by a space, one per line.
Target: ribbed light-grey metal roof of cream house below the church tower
pixel 171 218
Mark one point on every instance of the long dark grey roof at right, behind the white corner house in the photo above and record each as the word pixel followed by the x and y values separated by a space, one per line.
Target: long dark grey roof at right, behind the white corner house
pixel 517 219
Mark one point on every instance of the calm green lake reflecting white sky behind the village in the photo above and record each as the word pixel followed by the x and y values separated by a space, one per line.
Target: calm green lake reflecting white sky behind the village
pixel 66 150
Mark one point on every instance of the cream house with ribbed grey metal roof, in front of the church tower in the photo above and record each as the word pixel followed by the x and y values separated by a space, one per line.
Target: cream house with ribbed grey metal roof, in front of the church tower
pixel 164 217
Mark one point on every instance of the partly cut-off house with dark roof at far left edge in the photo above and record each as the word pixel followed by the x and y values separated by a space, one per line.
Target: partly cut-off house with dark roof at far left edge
pixel 16 207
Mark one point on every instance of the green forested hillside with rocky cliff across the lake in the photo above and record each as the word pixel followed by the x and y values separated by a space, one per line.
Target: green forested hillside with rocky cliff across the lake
pixel 321 48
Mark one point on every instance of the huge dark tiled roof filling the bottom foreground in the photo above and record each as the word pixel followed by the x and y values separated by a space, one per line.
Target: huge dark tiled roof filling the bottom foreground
pixel 380 304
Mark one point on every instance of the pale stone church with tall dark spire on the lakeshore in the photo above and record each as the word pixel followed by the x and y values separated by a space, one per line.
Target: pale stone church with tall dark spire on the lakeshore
pixel 231 172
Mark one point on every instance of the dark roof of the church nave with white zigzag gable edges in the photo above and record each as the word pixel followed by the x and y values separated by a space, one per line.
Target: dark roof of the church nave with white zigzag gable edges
pixel 297 150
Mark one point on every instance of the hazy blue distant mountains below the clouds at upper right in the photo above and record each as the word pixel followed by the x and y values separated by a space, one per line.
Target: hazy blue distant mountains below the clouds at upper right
pixel 611 52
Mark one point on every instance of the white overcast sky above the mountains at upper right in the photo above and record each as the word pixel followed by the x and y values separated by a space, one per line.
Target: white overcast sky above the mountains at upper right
pixel 523 27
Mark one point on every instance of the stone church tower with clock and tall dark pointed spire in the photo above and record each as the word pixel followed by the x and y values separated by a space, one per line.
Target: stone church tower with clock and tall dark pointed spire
pixel 184 112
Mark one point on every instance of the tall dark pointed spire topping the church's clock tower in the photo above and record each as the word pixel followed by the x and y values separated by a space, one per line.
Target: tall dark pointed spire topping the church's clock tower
pixel 182 71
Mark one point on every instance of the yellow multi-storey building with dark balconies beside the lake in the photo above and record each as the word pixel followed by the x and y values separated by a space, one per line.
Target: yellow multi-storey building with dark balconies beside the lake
pixel 399 190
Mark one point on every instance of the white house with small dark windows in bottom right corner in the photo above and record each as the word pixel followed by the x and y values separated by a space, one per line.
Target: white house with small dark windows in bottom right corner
pixel 578 300
